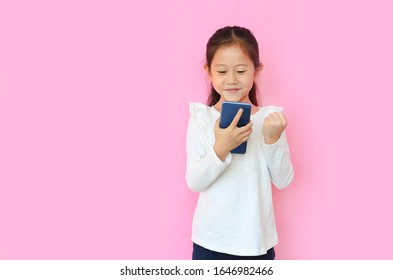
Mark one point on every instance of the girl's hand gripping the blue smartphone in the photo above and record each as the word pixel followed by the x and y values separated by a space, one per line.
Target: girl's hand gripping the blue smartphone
pixel 229 138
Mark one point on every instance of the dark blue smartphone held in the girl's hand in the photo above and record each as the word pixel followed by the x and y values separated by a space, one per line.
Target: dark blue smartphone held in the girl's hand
pixel 228 112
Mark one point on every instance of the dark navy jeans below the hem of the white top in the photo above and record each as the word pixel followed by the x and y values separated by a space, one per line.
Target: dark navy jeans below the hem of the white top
pixel 201 253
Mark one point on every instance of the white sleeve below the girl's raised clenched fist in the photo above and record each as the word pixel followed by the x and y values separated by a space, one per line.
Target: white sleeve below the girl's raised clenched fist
pixel 279 162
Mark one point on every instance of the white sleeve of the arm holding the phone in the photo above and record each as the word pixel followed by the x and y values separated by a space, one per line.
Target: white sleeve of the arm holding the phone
pixel 203 165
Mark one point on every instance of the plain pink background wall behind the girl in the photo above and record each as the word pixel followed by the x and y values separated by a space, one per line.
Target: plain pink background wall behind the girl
pixel 94 109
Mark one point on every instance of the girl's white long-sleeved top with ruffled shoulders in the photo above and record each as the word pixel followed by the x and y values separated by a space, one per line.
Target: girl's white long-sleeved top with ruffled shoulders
pixel 234 214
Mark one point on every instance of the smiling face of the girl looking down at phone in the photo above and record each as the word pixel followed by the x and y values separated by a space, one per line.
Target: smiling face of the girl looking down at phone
pixel 232 74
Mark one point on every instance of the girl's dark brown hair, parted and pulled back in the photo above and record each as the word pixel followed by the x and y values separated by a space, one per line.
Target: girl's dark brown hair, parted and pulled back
pixel 229 36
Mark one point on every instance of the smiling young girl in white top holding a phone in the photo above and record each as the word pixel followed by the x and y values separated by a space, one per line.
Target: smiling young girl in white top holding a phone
pixel 234 217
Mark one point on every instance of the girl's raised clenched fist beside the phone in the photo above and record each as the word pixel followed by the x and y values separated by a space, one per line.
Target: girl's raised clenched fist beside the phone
pixel 273 125
